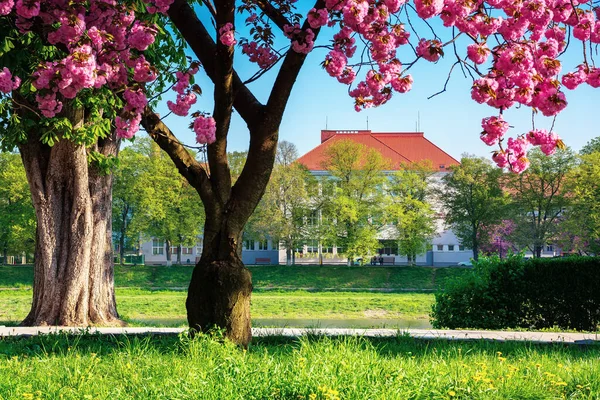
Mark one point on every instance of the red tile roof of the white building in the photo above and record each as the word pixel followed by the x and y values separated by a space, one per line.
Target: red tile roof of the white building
pixel 399 147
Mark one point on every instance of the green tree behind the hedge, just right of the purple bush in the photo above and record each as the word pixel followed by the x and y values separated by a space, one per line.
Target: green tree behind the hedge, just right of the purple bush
pixel 540 197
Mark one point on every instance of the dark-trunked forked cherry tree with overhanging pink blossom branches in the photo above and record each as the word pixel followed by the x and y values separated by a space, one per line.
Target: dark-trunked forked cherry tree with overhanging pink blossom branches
pixel 512 52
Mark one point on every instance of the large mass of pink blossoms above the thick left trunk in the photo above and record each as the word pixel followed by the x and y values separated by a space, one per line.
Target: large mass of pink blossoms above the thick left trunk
pixel 104 41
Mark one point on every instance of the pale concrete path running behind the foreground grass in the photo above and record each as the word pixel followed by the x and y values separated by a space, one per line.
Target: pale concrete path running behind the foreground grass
pixel 537 337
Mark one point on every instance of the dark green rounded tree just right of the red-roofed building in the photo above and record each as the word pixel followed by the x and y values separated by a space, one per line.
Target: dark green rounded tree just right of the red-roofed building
pixel 473 199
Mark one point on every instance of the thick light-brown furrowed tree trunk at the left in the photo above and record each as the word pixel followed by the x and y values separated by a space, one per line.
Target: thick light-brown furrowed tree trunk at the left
pixel 73 272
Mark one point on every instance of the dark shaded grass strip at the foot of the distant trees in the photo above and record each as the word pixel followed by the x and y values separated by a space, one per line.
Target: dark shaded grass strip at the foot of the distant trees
pixel 326 277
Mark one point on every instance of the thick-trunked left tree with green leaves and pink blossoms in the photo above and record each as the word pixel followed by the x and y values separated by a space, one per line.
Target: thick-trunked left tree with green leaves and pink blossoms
pixel 74 79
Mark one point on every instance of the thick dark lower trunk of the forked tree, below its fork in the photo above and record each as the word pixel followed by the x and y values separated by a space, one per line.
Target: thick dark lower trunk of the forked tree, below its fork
pixel 221 286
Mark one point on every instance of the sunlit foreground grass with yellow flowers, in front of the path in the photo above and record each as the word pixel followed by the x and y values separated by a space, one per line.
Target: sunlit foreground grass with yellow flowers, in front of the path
pixel 92 367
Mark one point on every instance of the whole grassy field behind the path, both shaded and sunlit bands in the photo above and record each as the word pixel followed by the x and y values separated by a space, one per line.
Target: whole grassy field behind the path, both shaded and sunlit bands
pixel 155 295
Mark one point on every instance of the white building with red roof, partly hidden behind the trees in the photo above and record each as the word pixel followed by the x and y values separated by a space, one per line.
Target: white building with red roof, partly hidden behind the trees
pixel 400 148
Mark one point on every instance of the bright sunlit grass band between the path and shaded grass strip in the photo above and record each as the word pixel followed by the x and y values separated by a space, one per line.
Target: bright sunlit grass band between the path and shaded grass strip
pixel 167 308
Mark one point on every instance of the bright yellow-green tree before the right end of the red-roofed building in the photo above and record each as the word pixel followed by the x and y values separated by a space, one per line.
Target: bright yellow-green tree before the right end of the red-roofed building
pixel 410 210
